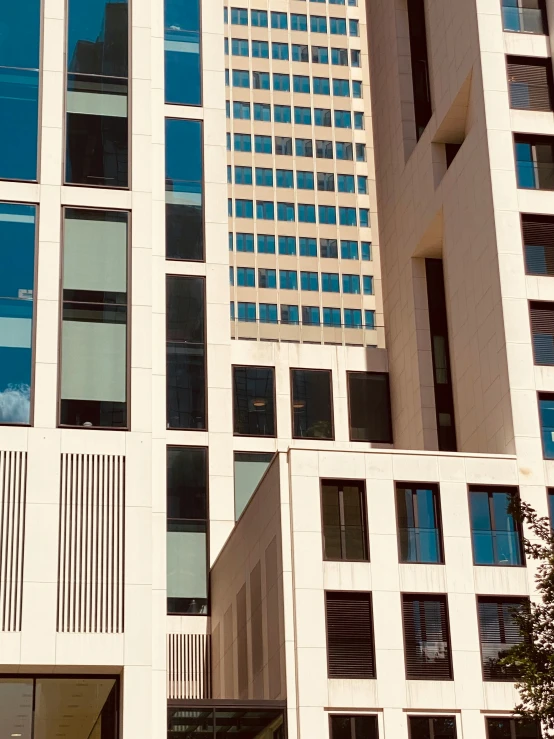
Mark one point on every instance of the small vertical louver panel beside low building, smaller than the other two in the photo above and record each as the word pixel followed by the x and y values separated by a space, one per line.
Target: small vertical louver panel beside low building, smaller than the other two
pixel 189 666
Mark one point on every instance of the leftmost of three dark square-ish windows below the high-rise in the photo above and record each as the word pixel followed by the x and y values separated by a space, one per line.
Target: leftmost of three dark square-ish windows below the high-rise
pixel 254 401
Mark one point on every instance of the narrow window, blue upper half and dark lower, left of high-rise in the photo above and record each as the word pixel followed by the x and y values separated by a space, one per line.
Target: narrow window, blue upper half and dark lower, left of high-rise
pixel 184 214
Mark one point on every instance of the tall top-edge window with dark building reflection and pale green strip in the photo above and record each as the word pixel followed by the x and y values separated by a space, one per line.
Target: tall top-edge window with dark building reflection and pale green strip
pixel 97 93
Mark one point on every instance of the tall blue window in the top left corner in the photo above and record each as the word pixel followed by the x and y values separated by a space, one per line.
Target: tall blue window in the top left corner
pixel 19 89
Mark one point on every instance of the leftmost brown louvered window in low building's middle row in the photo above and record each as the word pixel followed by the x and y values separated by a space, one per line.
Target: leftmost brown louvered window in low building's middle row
pixel 350 652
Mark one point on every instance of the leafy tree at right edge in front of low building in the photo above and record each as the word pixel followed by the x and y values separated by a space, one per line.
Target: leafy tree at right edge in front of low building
pixel 533 657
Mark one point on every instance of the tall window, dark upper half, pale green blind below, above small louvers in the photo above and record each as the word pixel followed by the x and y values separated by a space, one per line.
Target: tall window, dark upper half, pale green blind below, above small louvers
pixel 187 515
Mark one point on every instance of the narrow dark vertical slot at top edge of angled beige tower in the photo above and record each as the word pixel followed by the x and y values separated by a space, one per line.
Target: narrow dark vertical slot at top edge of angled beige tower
pixel 420 65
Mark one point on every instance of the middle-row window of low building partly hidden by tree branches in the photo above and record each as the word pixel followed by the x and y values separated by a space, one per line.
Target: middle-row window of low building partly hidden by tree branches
pixel 498 631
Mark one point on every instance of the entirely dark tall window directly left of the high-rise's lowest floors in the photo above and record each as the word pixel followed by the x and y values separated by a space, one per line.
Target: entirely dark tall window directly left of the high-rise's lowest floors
pixel 186 352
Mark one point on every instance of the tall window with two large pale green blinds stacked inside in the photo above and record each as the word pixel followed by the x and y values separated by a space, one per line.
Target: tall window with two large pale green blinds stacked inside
pixel 93 384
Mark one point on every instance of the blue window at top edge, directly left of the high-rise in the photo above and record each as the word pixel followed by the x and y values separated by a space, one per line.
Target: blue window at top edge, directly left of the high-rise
pixel 182 52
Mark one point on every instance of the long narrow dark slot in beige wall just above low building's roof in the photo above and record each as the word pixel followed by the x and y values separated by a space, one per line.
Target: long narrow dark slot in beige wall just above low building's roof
pixel 442 379
